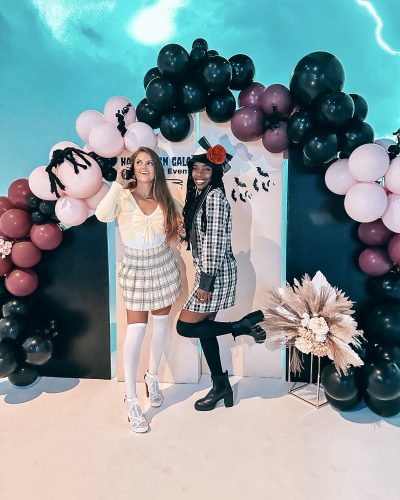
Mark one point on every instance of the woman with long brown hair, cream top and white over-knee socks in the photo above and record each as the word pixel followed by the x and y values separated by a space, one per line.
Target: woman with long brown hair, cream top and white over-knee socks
pixel 149 275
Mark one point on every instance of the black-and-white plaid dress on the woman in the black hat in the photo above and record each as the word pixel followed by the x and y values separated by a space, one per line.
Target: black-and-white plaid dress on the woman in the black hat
pixel 212 255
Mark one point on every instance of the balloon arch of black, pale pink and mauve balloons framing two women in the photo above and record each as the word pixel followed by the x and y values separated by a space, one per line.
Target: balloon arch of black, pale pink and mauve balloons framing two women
pixel 313 113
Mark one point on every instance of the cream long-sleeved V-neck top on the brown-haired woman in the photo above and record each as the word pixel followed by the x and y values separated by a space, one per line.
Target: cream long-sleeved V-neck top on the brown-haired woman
pixel 137 229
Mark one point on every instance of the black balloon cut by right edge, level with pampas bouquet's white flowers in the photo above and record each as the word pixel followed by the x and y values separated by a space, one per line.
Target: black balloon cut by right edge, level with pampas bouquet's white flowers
pixel 383 324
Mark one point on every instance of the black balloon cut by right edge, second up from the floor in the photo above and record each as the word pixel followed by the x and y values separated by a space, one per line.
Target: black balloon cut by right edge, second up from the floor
pixel 383 381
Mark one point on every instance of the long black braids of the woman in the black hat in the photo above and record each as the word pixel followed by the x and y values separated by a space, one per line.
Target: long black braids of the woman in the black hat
pixel 193 198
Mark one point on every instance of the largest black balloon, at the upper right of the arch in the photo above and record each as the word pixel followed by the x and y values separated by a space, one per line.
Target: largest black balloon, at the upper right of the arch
pixel 315 75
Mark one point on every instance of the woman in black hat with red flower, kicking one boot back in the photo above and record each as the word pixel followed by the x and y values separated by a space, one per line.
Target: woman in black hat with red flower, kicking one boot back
pixel 208 228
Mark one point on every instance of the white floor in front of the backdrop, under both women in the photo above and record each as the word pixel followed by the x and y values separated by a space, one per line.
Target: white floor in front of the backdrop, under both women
pixel 69 439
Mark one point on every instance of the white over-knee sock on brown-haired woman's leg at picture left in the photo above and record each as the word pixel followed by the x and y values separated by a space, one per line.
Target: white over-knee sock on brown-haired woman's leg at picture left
pixel 132 345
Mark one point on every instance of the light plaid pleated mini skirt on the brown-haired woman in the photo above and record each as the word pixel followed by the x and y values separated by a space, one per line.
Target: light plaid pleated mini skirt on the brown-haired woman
pixel 150 279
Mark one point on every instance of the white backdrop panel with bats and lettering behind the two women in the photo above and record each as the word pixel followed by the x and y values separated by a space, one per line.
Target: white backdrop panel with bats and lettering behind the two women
pixel 254 190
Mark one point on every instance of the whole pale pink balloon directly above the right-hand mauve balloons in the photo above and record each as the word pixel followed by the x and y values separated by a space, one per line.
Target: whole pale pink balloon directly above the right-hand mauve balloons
pixel 365 201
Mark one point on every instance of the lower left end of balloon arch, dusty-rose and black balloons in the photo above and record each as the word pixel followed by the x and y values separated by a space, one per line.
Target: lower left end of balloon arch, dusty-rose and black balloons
pixel 27 228
